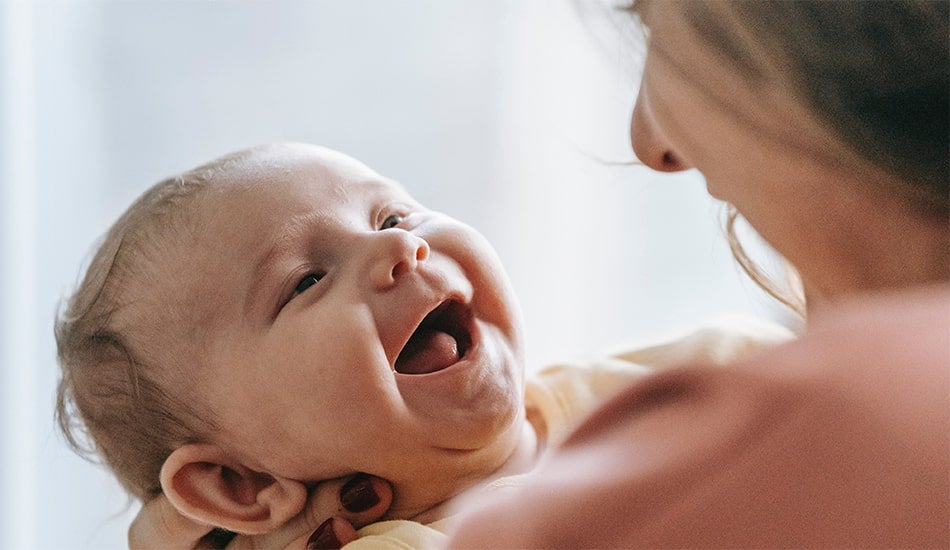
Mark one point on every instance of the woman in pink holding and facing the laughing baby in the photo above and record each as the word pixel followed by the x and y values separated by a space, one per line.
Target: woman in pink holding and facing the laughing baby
pixel 826 126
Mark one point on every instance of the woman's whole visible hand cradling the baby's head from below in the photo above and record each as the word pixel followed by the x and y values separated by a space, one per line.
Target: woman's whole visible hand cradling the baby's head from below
pixel 335 510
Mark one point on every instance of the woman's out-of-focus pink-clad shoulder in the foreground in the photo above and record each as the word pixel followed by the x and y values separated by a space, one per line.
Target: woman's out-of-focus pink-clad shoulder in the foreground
pixel 835 439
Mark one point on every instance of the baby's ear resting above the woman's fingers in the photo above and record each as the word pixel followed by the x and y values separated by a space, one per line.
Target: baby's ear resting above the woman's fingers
pixel 203 483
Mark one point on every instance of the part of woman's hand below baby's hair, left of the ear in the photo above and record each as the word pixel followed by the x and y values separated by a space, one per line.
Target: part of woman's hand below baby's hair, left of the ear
pixel 159 525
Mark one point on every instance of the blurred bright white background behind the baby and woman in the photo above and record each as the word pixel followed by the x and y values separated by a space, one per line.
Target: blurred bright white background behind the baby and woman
pixel 499 112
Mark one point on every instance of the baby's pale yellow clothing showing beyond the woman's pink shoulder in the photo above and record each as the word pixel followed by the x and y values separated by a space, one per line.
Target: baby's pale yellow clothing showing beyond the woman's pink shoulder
pixel 562 395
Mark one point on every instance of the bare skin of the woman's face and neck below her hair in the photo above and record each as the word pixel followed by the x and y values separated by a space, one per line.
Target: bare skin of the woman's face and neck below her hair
pixel 832 219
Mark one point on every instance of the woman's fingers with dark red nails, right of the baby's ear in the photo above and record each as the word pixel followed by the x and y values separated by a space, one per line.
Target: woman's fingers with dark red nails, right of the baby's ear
pixel 335 510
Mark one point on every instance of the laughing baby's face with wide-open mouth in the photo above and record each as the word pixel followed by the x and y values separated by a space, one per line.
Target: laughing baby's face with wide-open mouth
pixel 351 328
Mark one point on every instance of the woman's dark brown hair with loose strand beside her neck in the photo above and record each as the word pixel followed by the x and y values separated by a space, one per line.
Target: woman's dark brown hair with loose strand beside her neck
pixel 876 73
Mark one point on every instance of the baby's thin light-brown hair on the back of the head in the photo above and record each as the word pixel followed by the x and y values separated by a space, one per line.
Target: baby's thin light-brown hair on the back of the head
pixel 121 395
